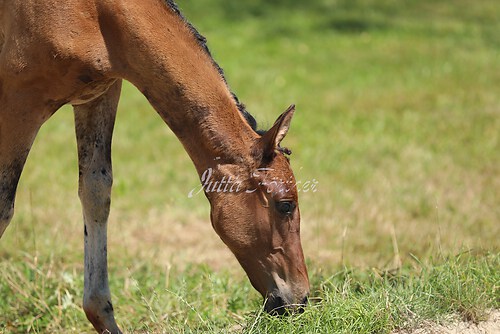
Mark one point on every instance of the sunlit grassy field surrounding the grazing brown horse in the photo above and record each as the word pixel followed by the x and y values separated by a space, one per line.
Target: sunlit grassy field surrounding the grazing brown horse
pixel 398 121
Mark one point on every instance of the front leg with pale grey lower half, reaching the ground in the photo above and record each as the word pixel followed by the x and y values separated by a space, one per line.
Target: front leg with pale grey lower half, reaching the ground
pixel 94 123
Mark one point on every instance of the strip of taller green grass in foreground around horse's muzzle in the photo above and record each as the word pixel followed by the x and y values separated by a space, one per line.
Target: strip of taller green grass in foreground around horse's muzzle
pixel 46 298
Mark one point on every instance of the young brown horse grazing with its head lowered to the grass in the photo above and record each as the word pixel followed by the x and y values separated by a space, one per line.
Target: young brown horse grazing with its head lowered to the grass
pixel 77 52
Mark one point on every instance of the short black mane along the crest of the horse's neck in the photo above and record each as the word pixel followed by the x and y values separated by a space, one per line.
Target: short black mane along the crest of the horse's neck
pixel 202 42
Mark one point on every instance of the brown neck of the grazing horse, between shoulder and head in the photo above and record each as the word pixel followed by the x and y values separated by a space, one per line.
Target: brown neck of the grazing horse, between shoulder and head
pixel 177 75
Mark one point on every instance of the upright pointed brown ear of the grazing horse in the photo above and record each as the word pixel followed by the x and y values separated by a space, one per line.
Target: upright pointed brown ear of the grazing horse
pixel 271 139
